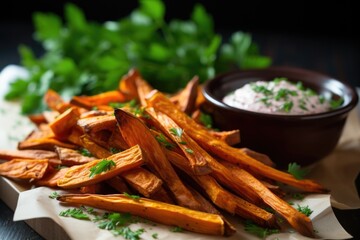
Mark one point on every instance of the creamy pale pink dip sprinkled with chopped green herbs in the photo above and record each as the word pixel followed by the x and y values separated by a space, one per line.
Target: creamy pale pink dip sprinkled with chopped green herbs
pixel 278 96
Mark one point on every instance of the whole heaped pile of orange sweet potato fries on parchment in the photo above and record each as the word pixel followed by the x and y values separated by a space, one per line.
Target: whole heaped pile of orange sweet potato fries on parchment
pixel 154 145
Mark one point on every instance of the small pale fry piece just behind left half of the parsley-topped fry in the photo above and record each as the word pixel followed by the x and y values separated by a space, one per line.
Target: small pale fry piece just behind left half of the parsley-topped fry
pixel 70 157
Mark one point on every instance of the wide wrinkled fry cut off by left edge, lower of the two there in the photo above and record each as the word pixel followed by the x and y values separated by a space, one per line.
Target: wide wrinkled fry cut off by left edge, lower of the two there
pixel 24 168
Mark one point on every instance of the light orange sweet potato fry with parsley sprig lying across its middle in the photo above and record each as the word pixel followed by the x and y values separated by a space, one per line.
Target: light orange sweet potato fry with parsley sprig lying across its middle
pixel 78 176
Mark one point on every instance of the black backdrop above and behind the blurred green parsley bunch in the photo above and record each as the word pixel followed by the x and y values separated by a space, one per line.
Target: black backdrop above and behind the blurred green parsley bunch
pixel 297 33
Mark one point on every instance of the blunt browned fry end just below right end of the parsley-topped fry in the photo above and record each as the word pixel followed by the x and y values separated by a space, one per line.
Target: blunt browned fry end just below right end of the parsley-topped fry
pixel 143 181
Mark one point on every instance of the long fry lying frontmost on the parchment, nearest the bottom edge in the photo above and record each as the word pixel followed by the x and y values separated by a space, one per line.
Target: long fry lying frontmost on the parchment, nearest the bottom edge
pixel 160 212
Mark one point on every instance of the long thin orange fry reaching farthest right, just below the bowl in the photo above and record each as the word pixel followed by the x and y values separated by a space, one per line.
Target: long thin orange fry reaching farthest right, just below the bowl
pixel 214 146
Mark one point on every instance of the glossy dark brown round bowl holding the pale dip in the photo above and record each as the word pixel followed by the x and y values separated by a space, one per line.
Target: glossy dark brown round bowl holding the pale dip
pixel 303 139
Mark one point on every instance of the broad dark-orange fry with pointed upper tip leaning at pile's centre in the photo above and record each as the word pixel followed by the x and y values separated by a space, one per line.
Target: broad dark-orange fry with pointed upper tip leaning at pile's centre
pixel 135 132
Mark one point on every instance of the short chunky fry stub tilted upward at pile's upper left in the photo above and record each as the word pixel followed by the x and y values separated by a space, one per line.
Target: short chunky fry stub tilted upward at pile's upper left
pixel 64 123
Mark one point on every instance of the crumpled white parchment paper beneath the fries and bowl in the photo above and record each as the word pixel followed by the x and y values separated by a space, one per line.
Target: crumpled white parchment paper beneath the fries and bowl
pixel 337 172
